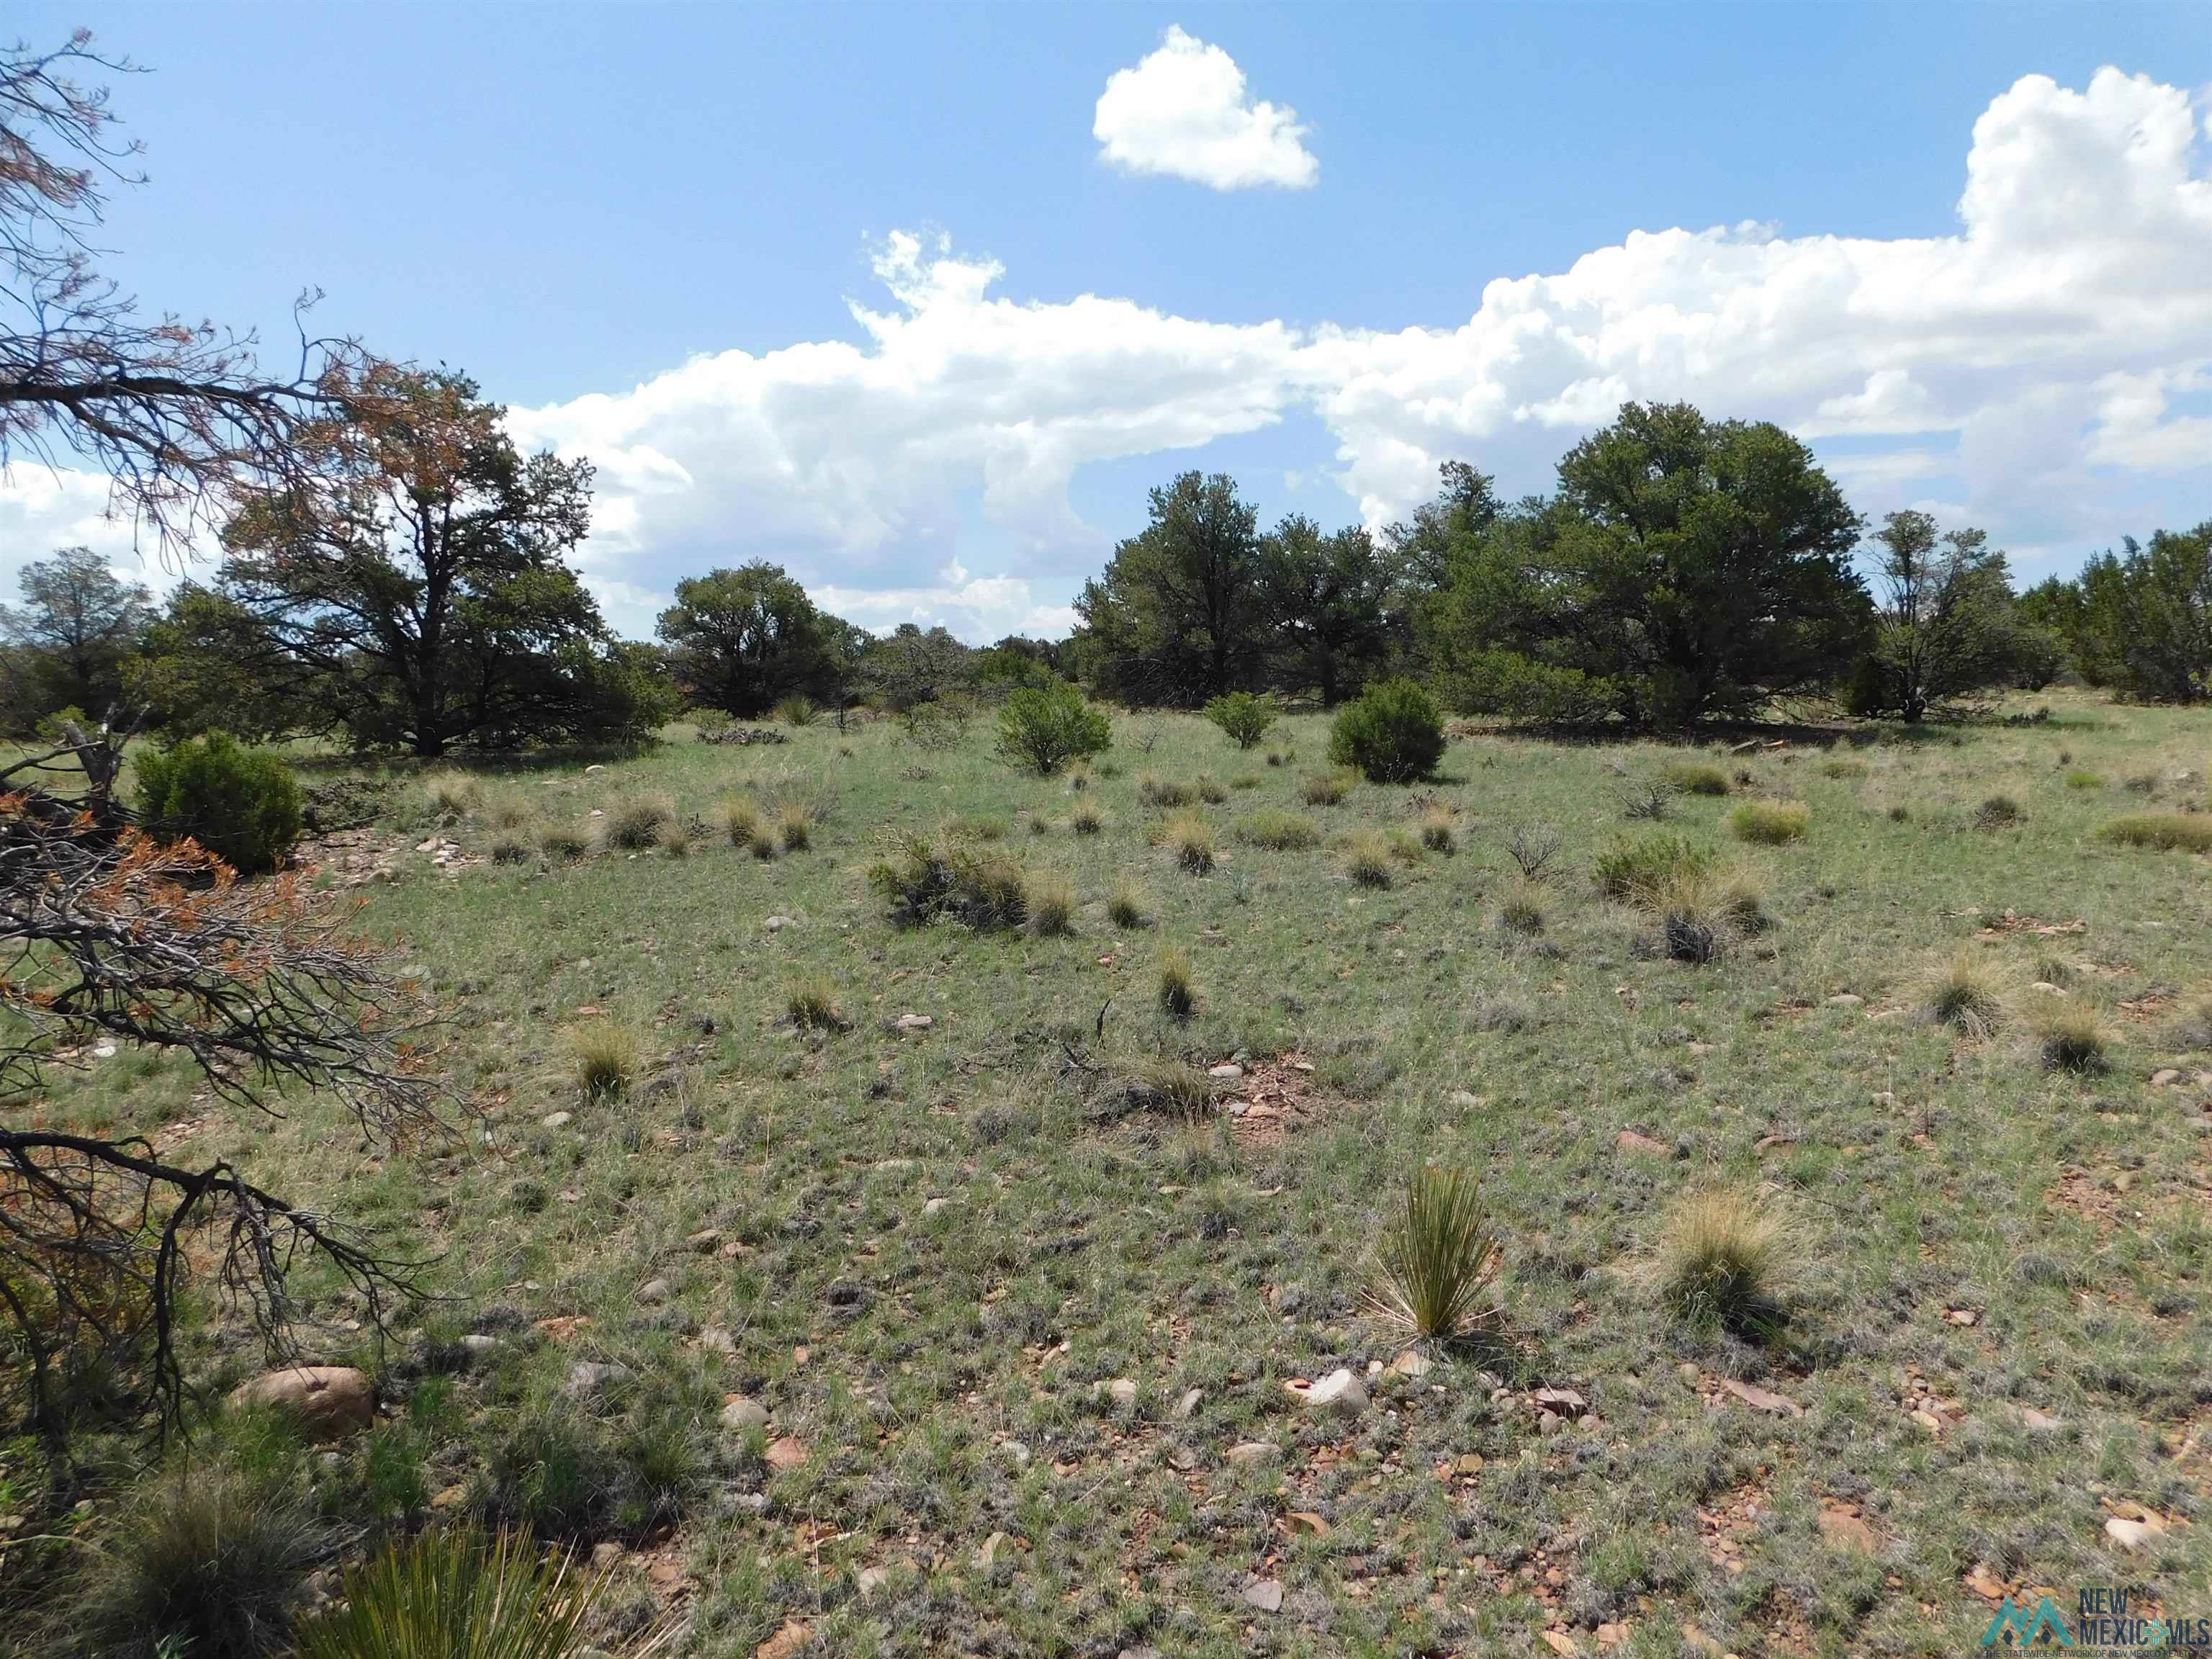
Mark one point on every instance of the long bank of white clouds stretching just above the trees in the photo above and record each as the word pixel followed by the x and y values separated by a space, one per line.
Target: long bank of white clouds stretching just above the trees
pixel 2045 371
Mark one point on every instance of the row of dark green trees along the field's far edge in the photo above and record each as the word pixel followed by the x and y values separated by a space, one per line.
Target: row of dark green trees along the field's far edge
pixel 408 585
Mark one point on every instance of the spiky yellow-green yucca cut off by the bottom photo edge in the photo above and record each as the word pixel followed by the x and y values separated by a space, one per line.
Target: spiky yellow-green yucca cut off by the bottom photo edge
pixel 459 1596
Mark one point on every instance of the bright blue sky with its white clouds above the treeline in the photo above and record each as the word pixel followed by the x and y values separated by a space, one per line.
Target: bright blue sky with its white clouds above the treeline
pixel 576 200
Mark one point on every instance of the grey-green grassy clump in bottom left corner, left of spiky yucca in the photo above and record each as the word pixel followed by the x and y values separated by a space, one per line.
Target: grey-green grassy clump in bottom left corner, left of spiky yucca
pixel 205 1563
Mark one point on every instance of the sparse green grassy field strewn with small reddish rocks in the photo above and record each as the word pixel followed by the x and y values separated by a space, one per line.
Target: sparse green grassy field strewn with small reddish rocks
pixel 1010 1295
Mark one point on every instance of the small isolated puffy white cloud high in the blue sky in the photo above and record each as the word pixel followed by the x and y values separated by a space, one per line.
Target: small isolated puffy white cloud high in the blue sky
pixel 1185 112
